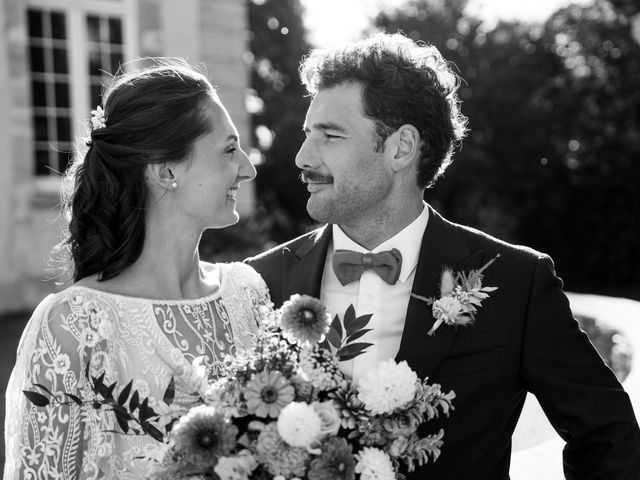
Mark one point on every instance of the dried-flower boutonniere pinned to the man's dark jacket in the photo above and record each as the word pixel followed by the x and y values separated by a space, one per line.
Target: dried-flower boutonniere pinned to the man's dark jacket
pixel 461 294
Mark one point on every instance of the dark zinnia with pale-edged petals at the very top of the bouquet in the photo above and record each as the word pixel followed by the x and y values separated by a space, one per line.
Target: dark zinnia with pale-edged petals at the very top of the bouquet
pixel 304 319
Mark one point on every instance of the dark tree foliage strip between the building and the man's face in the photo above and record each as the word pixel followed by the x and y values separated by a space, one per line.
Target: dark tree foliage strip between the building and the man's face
pixel 277 43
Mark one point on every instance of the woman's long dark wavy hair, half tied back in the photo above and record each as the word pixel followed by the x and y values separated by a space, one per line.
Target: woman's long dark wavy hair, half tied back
pixel 152 115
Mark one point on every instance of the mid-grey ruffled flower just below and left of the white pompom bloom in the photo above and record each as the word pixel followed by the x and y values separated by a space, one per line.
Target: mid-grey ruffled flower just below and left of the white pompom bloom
pixel 279 457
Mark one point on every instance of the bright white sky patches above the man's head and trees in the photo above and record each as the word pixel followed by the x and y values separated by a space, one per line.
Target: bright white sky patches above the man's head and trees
pixel 337 21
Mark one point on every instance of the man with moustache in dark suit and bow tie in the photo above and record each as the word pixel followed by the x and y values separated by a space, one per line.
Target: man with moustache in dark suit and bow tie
pixel 380 129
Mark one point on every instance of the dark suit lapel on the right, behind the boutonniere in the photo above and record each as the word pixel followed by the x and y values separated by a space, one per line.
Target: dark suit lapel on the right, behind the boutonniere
pixel 442 246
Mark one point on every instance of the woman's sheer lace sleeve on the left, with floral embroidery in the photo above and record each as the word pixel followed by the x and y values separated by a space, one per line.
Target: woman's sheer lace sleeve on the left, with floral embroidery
pixel 61 440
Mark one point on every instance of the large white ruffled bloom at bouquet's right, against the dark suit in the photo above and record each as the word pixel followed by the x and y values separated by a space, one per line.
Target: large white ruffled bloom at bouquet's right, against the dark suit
pixel 387 386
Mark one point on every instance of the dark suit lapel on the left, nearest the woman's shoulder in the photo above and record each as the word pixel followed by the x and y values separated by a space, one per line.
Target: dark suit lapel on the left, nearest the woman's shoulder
pixel 303 265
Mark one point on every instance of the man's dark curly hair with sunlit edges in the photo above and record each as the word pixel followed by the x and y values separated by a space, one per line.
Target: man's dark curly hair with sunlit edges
pixel 403 82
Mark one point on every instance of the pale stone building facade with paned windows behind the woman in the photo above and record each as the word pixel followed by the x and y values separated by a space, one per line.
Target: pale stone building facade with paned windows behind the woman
pixel 53 55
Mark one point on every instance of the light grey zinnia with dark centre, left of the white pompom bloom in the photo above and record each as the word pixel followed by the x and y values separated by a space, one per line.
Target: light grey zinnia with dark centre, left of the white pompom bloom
pixel 267 393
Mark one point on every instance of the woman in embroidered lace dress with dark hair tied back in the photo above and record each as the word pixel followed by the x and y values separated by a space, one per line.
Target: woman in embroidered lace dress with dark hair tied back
pixel 163 163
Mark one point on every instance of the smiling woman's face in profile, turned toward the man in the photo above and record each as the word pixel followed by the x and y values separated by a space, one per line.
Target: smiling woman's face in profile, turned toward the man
pixel 210 178
